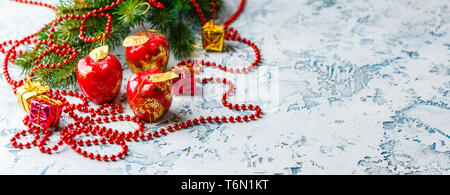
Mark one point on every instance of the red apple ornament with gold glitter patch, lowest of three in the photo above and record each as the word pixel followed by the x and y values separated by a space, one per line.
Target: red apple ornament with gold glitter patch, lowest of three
pixel 149 94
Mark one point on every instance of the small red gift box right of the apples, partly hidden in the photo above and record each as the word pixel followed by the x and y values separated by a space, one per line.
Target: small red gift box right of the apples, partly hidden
pixel 185 83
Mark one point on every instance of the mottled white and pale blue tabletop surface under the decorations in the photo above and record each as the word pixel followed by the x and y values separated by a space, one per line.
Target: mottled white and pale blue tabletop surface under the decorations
pixel 348 87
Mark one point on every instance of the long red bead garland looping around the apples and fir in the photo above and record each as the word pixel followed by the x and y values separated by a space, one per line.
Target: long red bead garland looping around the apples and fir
pixel 107 113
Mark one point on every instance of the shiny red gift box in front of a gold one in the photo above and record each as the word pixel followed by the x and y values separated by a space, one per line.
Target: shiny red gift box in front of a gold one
pixel 45 111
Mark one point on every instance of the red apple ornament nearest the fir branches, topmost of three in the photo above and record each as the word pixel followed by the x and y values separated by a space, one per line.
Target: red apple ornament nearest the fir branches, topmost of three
pixel 146 50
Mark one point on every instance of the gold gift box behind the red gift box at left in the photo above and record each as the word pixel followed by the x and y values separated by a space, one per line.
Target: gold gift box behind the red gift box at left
pixel 29 91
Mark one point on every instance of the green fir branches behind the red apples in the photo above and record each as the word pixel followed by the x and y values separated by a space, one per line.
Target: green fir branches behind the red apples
pixel 173 21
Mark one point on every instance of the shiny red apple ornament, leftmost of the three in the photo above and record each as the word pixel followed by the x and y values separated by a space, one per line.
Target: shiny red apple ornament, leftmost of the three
pixel 99 75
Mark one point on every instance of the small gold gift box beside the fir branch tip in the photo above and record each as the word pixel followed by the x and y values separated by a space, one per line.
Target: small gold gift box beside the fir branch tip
pixel 213 36
